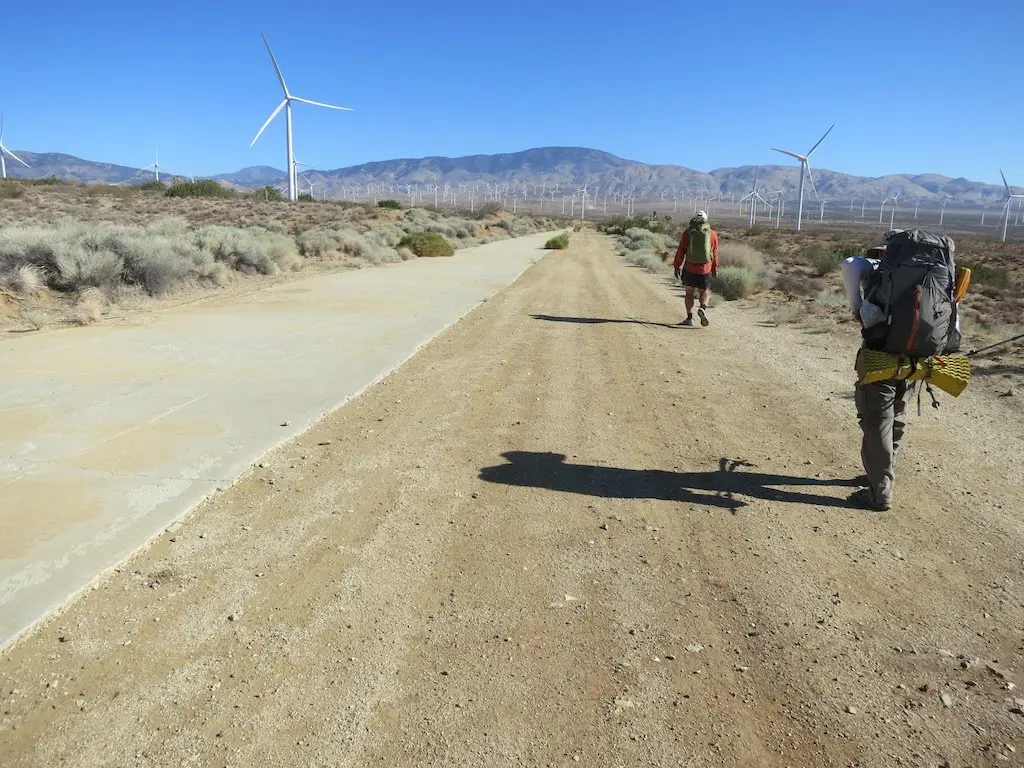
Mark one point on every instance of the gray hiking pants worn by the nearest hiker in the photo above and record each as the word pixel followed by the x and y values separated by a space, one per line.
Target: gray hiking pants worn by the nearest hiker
pixel 882 413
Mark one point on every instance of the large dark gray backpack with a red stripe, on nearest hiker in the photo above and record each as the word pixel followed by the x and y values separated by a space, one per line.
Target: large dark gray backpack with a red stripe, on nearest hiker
pixel 915 285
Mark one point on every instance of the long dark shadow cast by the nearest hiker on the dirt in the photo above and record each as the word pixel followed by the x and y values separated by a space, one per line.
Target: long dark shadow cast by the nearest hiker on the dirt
pixel 722 488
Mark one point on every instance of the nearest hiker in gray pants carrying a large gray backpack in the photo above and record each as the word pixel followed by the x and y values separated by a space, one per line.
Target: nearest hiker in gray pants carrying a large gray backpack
pixel 905 296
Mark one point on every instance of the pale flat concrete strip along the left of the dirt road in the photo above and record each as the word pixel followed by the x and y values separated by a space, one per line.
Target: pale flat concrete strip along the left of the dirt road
pixel 109 435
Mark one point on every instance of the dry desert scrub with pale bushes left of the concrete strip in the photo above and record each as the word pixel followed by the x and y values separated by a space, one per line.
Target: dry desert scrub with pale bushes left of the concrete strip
pixel 69 252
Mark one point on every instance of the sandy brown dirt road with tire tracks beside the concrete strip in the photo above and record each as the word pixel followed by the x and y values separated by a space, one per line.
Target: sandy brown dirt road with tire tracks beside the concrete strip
pixel 566 533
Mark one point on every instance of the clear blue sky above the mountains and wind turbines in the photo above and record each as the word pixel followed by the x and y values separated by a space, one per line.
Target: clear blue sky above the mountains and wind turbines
pixel 914 86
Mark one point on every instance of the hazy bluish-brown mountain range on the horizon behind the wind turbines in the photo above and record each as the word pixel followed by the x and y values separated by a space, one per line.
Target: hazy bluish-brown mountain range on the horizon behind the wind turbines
pixel 563 168
